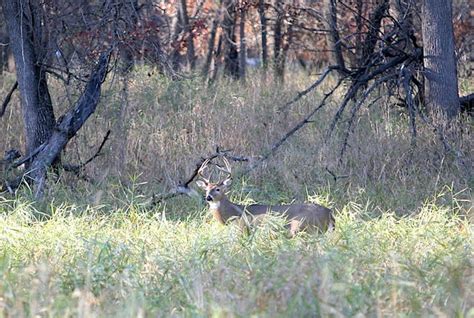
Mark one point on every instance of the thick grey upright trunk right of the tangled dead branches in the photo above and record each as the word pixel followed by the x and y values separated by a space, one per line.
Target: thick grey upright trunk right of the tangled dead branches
pixel 441 84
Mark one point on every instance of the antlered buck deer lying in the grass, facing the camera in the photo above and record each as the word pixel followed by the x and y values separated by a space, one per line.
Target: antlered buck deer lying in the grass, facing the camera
pixel 299 216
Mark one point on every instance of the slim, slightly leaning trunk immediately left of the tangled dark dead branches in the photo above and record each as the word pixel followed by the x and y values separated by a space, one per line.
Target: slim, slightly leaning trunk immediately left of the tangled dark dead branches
pixel 335 43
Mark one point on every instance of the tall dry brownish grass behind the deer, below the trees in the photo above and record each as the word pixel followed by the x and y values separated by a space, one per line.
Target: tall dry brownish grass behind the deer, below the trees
pixel 166 126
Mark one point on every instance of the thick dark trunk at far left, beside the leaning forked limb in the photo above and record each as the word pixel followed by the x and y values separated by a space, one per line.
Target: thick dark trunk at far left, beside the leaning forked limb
pixel 38 115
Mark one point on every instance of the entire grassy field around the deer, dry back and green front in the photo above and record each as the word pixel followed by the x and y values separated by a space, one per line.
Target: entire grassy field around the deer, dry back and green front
pixel 403 243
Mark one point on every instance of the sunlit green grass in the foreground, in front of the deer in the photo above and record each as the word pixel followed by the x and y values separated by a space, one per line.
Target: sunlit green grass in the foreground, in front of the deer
pixel 69 260
